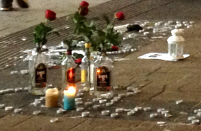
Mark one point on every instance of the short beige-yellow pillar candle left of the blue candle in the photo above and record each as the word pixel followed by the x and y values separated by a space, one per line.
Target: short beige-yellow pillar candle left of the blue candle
pixel 51 97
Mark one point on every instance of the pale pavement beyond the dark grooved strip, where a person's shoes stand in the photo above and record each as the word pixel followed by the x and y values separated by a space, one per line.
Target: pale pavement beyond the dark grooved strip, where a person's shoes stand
pixel 19 19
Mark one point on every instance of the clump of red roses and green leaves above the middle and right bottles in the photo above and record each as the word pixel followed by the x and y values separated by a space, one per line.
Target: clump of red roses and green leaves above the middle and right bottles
pixel 100 39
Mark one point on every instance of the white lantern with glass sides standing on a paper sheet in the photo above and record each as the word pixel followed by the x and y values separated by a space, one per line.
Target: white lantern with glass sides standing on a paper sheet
pixel 175 44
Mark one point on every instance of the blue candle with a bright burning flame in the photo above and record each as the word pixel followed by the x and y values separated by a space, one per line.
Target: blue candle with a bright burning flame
pixel 69 98
